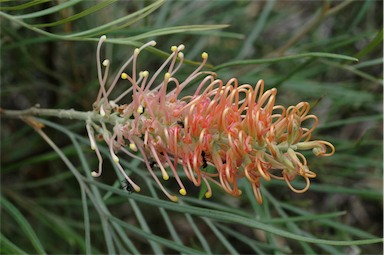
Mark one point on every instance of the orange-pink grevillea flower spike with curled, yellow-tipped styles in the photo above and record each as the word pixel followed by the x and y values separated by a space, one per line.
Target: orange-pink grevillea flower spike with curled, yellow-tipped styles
pixel 237 129
